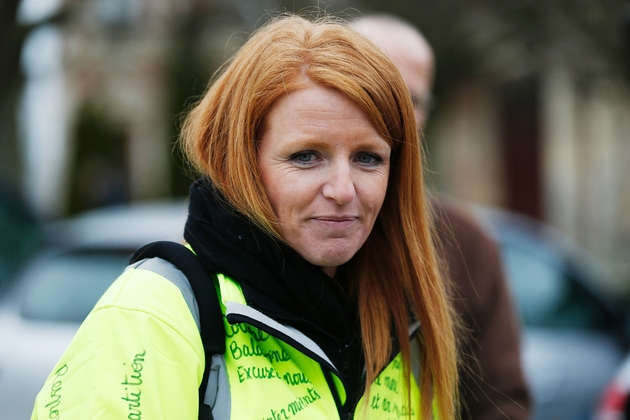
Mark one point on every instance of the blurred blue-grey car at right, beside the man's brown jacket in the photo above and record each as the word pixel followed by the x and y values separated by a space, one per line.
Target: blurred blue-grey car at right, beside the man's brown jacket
pixel 574 334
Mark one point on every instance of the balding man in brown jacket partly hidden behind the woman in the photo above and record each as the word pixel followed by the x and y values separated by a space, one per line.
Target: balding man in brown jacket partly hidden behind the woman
pixel 492 384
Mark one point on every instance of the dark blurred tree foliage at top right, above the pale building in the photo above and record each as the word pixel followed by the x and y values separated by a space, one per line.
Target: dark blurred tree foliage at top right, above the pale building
pixel 511 40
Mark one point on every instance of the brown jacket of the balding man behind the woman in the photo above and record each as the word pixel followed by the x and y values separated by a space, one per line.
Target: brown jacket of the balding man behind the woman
pixel 492 384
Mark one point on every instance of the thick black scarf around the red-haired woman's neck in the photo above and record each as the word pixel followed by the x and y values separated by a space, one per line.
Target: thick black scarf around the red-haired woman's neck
pixel 275 279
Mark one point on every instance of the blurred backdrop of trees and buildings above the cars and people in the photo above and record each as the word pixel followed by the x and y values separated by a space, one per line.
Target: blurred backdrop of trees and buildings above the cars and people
pixel 530 109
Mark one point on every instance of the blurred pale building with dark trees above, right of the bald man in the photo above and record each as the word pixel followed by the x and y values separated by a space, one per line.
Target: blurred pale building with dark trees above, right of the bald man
pixel 534 113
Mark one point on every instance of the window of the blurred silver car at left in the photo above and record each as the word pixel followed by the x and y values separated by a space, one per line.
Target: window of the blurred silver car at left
pixel 66 286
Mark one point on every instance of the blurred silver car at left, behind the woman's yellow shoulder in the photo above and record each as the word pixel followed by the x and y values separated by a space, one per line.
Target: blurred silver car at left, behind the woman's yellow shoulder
pixel 44 304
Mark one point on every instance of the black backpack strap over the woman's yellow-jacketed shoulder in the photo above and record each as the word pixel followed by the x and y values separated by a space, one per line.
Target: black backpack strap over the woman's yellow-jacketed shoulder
pixel 212 330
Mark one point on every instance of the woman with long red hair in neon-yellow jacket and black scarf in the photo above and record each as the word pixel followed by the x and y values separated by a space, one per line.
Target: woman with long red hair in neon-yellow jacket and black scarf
pixel 311 215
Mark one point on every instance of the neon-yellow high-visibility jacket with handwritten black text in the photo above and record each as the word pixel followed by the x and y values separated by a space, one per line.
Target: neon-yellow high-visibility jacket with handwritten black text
pixel 139 355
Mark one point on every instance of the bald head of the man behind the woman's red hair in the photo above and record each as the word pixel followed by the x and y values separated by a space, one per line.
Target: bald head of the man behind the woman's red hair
pixel 409 51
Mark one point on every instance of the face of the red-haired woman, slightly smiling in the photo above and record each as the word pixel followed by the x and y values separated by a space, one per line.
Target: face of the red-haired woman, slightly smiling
pixel 325 169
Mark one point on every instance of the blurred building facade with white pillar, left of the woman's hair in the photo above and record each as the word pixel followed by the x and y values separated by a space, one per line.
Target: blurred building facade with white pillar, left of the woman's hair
pixel 106 83
